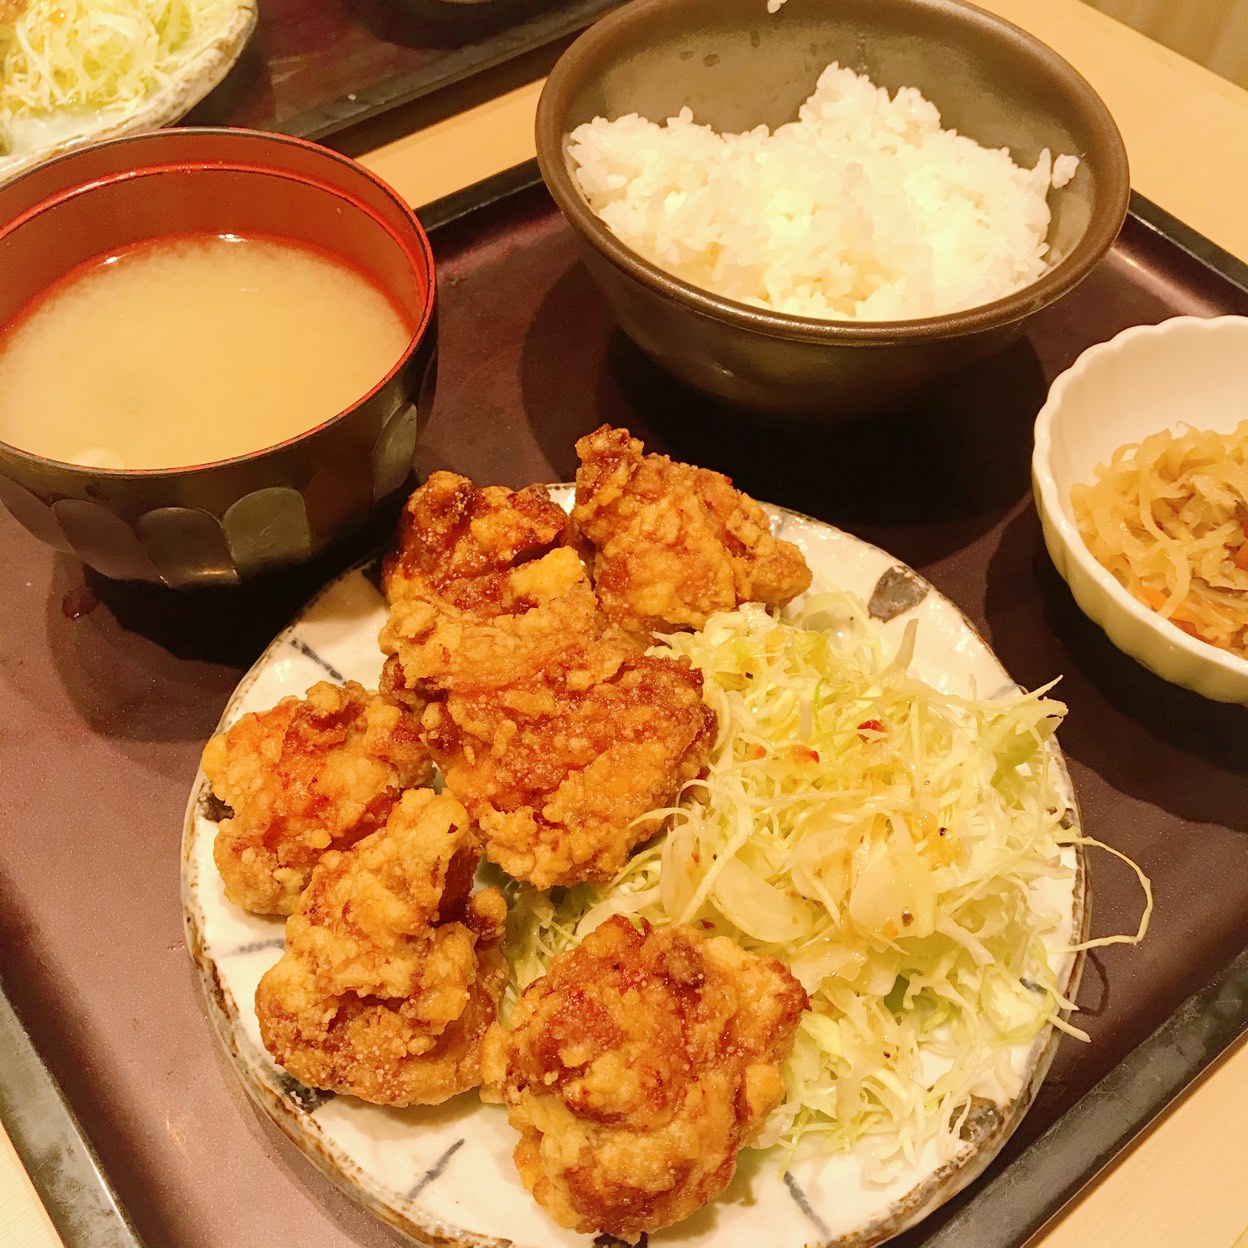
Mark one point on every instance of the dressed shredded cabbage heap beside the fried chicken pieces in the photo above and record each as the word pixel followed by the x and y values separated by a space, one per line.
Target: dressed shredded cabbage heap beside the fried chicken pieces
pixel 908 853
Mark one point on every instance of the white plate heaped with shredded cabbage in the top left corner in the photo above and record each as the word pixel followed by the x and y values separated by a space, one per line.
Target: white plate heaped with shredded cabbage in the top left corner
pixel 74 72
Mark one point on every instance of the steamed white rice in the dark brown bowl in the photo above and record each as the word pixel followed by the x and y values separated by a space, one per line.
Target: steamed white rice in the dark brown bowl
pixel 864 209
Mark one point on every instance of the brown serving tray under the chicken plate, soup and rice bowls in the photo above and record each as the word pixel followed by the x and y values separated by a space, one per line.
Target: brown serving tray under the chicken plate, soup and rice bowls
pixel 110 691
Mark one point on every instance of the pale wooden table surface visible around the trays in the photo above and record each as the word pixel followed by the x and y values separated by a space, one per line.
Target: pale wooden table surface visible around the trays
pixel 1184 1184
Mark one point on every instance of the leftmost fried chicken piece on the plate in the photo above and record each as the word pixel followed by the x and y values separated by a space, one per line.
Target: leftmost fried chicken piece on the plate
pixel 306 776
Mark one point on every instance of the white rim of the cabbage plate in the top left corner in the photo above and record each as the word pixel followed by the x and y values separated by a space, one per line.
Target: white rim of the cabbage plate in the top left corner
pixel 37 139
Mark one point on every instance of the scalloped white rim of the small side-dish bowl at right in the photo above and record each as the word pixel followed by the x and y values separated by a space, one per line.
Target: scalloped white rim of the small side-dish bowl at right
pixel 1053 510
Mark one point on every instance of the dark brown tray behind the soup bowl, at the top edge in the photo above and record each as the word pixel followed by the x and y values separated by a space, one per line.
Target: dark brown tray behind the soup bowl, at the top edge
pixel 318 67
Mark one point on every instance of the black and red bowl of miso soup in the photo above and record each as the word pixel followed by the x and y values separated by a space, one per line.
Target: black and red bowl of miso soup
pixel 217 349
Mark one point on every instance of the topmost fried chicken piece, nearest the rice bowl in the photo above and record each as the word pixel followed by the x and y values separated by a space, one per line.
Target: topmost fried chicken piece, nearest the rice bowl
pixel 675 544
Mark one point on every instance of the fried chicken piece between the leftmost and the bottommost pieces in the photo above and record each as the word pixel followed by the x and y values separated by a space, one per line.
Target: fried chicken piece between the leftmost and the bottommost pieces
pixel 392 973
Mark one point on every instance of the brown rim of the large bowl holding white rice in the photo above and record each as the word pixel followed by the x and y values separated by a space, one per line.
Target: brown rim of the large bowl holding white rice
pixel 1070 270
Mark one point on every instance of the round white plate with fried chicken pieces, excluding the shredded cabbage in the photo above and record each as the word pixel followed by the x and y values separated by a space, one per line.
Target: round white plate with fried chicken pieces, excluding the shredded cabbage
pixel 484 714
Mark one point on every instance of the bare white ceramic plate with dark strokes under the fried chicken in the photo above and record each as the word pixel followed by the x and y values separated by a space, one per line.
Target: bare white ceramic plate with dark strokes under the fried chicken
pixel 445 1175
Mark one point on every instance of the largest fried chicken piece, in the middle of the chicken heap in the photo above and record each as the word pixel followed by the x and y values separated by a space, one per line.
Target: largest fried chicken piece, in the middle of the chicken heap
pixel 550 726
